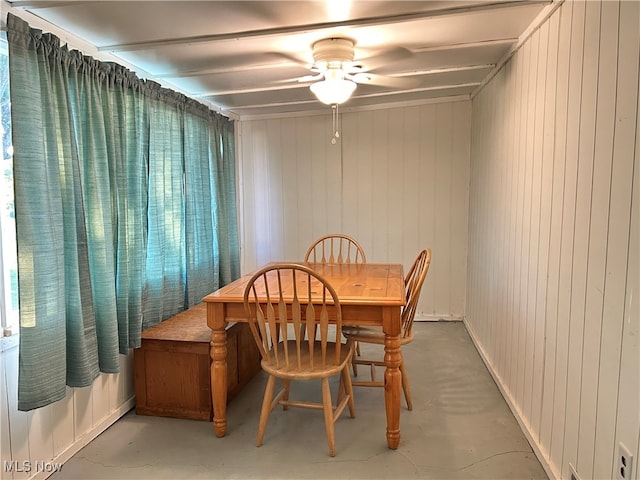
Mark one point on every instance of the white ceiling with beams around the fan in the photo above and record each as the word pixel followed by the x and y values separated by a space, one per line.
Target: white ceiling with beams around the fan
pixel 244 57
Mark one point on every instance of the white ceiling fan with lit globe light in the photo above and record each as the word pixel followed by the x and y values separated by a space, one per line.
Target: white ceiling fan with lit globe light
pixel 336 73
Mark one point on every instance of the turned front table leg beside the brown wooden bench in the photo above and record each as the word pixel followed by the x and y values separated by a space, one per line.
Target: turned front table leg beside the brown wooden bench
pixel 218 352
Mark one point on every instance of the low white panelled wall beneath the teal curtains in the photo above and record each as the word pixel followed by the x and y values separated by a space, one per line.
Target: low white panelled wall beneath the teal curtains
pixel 52 434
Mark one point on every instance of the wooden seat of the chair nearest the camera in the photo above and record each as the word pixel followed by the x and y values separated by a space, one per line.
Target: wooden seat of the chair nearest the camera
pixel 305 371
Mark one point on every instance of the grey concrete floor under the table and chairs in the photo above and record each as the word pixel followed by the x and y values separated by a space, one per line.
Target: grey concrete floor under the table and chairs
pixel 460 428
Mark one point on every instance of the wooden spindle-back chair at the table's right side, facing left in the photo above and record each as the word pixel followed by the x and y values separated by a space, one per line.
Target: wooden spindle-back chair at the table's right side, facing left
pixel 413 283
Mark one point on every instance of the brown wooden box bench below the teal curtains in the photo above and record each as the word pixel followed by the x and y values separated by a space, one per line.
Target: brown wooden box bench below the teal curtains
pixel 172 365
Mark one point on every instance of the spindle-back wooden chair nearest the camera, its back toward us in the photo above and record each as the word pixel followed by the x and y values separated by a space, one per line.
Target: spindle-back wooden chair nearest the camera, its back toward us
pixel 278 301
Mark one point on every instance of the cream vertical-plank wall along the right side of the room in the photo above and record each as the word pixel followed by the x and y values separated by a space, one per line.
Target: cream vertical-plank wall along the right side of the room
pixel 553 235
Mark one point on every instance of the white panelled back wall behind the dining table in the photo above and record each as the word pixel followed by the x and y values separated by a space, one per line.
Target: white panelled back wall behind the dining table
pixel 396 180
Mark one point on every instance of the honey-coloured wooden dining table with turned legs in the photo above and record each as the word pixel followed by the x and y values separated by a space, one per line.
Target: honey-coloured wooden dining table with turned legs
pixel 370 294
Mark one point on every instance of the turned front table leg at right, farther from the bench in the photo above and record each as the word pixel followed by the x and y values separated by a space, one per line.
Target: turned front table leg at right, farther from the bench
pixel 392 389
